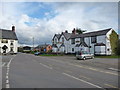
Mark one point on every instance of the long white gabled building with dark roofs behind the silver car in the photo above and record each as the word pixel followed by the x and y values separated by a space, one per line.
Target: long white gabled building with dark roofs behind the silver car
pixel 97 42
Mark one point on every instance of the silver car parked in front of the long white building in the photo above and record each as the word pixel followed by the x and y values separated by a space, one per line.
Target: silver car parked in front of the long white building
pixel 84 55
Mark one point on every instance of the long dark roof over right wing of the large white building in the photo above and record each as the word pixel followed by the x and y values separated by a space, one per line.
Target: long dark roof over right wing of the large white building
pixel 95 33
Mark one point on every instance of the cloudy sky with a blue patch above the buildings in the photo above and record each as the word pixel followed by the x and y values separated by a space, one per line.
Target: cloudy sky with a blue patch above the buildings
pixel 42 20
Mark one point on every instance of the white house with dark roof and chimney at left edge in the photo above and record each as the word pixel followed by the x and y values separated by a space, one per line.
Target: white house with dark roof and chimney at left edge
pixel 8 41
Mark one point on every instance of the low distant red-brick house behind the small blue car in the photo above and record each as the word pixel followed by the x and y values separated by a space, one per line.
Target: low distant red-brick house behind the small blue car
pixel 43 48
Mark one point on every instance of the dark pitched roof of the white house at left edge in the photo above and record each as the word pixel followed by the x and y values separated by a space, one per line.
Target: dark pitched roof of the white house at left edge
pixel 7 34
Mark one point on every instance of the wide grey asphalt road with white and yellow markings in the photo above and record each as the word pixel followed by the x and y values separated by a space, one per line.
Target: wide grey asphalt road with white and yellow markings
pixel 29 71
